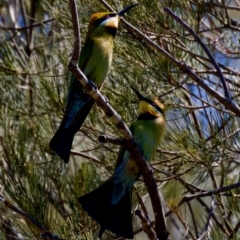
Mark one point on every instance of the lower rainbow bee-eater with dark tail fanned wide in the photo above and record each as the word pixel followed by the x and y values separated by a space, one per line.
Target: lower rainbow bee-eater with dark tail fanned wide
pixel 110 204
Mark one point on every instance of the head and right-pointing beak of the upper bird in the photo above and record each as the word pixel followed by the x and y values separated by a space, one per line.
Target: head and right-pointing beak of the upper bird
pixel 106 22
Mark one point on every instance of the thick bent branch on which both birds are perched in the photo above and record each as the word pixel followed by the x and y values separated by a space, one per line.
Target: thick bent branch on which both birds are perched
pixel 131 145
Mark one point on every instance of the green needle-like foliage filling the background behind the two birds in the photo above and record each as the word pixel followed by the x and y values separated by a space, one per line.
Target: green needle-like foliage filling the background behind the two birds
pixel 200 151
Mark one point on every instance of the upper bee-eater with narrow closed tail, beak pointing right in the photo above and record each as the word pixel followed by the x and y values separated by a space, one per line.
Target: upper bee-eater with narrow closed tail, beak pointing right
pixel 95 62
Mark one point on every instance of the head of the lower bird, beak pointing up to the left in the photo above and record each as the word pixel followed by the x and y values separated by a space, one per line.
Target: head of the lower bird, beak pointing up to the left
pixel 149 106
